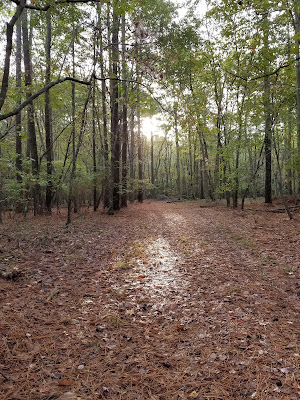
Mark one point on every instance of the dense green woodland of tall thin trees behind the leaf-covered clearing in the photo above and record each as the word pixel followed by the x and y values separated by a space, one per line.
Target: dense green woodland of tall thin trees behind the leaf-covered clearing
pixel 78 77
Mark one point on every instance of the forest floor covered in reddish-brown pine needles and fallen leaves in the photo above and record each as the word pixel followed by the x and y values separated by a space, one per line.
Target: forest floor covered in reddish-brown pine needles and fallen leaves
pixel 161 302
